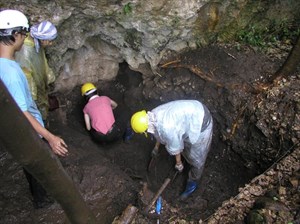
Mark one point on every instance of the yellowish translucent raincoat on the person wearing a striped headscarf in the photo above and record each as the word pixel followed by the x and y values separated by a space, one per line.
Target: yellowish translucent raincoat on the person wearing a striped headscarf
pixel 38 74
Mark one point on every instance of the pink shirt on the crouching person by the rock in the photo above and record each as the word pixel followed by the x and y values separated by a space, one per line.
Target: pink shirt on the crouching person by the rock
pixel 100 112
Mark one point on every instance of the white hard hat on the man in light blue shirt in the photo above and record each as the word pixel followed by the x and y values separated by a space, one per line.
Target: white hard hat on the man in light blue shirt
pixel 13 18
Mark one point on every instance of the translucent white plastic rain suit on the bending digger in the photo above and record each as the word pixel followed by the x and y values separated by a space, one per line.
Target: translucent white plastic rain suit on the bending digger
pixel 178 126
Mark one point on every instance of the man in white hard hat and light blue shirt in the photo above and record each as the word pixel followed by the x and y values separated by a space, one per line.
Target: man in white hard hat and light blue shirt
pixel 14 28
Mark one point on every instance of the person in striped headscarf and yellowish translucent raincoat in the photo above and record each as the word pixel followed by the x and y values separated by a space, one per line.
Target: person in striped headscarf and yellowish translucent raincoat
pixel 34 63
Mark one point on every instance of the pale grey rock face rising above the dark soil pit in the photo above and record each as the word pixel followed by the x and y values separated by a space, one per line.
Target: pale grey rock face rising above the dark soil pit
pixel 95 36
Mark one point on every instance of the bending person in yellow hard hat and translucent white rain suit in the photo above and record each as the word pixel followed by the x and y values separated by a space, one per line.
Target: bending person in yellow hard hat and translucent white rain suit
pixel 185 128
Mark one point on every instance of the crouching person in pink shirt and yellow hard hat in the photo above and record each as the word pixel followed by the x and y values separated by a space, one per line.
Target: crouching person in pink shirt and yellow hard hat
pixel 99 117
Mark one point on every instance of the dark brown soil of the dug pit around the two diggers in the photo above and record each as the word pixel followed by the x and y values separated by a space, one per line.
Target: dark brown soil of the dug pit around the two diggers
pixel 112 176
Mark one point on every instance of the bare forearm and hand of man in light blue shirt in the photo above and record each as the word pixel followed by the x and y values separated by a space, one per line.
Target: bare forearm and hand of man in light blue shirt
pixel 56 143
